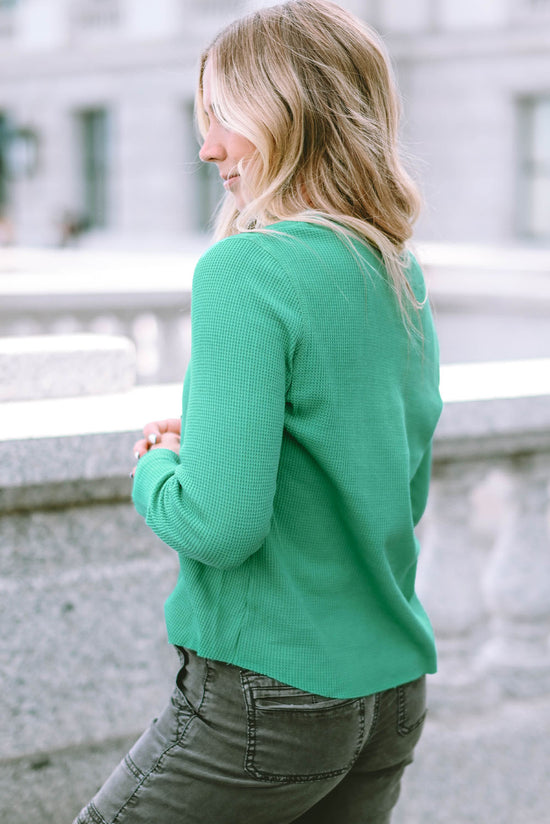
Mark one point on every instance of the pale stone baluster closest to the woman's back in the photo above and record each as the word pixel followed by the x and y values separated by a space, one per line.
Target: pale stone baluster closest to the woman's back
pixel 449 581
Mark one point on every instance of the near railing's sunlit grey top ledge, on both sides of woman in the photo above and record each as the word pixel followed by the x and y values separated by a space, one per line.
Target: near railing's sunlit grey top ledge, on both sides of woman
pixel 80 443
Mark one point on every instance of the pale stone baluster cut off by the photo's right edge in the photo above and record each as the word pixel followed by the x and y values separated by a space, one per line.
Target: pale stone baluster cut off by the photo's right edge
pixel 517 584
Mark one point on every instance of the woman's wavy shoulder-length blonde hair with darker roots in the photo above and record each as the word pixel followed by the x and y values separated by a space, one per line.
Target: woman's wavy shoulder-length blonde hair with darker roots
pixel 312 88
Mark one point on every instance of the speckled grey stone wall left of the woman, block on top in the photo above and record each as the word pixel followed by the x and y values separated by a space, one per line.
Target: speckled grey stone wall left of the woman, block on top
pixel 83 653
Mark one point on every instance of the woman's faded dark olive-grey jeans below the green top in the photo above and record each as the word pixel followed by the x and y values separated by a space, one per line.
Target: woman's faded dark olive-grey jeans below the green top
pixel 236 747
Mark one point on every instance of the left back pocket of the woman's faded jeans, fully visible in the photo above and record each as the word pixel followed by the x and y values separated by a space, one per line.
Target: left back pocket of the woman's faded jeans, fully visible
pixel 295 736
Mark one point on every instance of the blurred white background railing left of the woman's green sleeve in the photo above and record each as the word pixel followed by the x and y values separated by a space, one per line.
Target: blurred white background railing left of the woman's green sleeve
pixel 145 297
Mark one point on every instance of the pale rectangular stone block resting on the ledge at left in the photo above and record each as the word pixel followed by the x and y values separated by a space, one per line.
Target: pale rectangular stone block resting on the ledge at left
pixel 56 366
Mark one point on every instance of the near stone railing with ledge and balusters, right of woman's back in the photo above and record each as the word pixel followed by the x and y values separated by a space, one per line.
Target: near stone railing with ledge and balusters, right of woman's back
pixel 485 572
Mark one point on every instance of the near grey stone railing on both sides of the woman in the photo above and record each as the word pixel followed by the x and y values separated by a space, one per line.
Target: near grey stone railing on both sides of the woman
pixel 84 657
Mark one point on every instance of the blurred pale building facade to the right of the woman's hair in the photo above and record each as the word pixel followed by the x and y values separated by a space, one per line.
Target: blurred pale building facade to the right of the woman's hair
pixel 475 78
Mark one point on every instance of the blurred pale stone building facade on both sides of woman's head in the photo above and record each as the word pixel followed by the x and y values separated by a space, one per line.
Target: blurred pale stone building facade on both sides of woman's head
pixel 96 128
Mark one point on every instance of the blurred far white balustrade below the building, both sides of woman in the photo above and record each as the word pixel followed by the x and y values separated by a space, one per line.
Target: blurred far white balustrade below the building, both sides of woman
pixel 502 295
